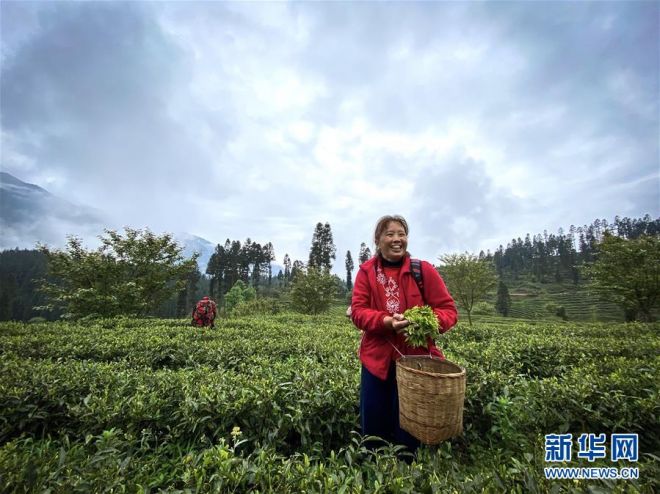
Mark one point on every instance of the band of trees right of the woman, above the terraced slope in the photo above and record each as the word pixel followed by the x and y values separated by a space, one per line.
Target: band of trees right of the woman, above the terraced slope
pixel 620 262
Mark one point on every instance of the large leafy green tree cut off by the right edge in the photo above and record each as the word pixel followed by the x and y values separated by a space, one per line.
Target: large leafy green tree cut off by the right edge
pixel 627 271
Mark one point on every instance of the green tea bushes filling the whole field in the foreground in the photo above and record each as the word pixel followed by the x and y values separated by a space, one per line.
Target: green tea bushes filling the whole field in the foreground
pixel 270 404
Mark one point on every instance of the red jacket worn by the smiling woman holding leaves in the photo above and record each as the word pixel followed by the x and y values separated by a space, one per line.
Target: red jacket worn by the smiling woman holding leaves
pixel 368 310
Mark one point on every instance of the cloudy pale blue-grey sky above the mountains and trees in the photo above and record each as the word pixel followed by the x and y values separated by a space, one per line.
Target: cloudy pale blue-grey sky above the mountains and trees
pixel 479 122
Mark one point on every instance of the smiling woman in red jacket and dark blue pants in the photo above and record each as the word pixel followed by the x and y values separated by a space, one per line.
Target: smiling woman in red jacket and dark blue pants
pixel 384 289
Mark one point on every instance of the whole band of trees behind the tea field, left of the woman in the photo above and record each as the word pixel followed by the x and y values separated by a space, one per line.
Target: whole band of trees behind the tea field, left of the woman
pixel 138 273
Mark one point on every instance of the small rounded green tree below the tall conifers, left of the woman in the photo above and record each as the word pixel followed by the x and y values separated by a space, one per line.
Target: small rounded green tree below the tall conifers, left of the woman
pixel 313 292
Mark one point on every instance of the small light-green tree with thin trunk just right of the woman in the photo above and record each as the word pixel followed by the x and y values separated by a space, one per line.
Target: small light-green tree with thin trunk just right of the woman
pixel 468 279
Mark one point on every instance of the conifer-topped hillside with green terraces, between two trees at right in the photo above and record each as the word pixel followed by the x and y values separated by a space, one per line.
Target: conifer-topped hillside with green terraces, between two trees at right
pixel 544 273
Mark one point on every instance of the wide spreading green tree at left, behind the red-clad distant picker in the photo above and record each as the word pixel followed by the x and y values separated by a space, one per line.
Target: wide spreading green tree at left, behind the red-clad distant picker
pixel 131 274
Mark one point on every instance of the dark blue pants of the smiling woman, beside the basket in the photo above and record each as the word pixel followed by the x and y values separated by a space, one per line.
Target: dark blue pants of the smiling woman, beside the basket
pixel 379 409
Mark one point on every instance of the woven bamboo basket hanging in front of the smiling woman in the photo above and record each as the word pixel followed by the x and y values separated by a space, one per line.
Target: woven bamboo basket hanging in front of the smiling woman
pixel 431 396
